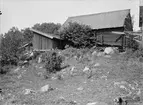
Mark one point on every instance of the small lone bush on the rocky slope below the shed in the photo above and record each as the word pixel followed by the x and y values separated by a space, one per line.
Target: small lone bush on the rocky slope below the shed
pixel 52 62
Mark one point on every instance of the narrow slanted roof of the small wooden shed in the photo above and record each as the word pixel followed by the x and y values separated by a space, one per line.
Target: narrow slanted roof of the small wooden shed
pixel 51 36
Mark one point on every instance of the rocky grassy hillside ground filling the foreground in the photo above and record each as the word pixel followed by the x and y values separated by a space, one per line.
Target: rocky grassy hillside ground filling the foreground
pixel 104 79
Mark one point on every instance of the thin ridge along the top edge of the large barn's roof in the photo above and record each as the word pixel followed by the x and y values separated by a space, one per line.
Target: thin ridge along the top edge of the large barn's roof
pixel 99 13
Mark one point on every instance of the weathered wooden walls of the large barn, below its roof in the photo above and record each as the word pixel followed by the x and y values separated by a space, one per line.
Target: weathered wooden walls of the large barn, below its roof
pixel 106 37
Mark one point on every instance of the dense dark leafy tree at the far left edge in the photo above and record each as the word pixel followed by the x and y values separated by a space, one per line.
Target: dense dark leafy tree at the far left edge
pixel 10 44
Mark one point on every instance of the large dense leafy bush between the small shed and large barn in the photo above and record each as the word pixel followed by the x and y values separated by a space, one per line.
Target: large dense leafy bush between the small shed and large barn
pixel 80 35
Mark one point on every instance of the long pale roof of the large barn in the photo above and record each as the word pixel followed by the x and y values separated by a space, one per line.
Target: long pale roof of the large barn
pixel 101 20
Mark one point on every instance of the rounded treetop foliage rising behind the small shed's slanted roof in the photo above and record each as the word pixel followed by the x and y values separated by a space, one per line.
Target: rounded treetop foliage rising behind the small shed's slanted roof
pixel 51 28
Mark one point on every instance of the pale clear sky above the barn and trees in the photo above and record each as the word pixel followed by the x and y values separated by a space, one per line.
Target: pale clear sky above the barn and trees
pixel 26 13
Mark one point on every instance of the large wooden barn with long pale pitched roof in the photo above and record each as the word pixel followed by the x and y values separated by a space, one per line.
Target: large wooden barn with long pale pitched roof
pixel 108 26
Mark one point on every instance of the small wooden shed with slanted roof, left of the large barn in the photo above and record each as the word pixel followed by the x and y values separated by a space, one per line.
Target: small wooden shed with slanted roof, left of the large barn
pixel 43 41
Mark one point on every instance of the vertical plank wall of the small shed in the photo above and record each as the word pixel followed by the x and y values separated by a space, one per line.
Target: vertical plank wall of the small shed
pixel 42 43
